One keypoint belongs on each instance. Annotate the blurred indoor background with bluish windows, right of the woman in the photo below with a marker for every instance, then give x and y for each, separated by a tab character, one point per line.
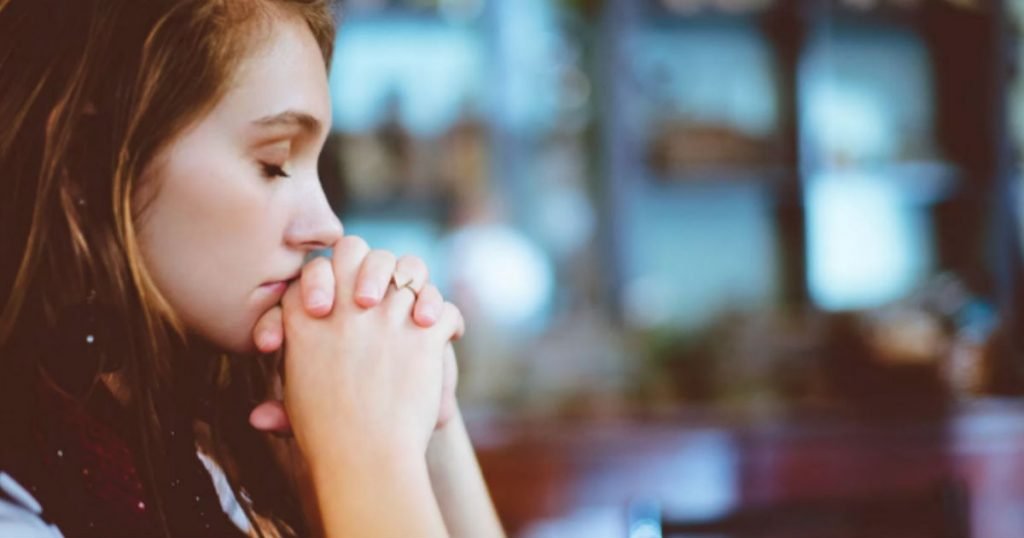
729	266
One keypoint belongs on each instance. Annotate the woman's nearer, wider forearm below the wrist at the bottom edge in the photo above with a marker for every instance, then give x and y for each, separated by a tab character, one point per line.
374	495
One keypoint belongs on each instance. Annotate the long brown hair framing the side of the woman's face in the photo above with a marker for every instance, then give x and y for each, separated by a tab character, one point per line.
91	93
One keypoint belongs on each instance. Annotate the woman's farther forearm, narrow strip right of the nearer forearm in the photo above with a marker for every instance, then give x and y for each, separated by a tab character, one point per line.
459	486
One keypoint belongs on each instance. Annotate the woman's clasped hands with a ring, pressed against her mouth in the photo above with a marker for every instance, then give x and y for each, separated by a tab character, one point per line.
368	346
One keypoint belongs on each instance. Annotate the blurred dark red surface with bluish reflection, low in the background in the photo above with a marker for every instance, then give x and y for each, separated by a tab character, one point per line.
544	471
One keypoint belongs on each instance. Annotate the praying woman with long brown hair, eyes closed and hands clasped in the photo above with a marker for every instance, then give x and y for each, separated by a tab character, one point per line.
160	198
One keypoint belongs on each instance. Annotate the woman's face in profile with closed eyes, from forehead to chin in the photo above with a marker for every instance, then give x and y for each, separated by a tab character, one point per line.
234	204
